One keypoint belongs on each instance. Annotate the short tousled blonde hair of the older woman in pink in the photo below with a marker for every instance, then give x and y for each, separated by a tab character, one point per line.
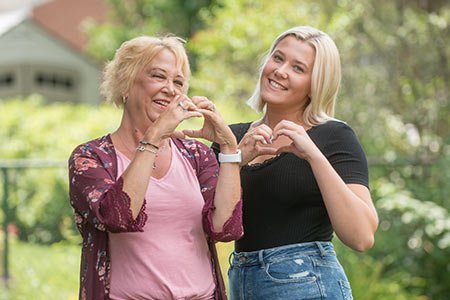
132	56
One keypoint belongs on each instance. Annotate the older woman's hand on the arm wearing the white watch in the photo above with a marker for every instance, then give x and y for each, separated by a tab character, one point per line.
214	128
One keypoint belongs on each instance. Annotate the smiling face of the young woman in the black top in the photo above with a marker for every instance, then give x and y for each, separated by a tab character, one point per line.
286	77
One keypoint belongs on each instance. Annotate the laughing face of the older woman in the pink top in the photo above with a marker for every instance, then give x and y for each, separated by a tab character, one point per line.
155	86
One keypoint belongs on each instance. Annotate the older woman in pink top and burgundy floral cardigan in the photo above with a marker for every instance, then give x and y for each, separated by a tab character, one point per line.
150	206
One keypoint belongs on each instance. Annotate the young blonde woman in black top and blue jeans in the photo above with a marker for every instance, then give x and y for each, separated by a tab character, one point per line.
304	176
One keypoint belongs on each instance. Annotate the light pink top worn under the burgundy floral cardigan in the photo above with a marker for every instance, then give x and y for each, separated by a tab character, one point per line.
170	259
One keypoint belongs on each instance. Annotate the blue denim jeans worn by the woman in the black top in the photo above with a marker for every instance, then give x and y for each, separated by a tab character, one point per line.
298	271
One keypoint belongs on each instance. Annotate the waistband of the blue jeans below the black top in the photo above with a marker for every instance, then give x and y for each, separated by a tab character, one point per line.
271	255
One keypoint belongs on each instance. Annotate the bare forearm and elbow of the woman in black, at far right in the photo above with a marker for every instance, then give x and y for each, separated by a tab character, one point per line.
351	212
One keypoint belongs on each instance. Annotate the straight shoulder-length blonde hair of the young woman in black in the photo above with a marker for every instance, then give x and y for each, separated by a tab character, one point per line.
325	78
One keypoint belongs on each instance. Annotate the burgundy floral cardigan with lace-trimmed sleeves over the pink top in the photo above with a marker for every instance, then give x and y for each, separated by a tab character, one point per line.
101	206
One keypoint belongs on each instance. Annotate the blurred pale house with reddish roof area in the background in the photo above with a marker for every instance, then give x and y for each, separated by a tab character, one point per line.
34	58
